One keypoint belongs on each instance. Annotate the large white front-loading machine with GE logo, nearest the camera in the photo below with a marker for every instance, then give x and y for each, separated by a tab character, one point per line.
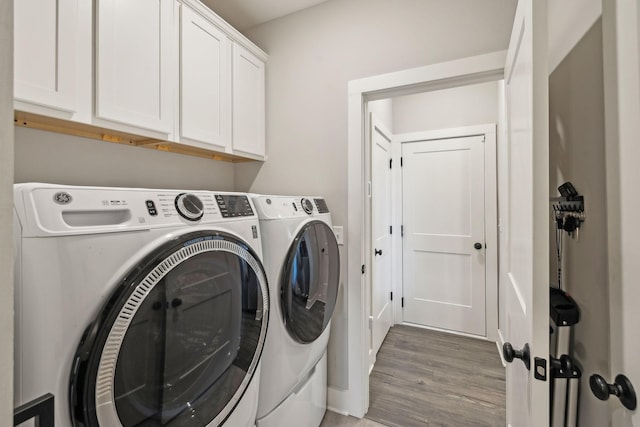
139	307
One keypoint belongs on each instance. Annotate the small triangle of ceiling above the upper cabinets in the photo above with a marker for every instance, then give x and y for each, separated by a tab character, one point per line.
244	14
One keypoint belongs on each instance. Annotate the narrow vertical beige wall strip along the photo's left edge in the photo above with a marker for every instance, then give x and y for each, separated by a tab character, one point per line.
6	212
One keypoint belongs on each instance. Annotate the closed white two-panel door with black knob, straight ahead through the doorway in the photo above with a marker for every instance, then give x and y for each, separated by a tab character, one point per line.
443	216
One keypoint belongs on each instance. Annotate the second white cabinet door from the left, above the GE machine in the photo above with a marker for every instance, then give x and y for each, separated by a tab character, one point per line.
133	63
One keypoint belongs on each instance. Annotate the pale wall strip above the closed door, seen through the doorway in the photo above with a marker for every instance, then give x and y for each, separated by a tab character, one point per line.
461	106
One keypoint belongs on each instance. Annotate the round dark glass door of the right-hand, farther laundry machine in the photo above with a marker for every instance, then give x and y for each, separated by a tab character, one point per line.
309	282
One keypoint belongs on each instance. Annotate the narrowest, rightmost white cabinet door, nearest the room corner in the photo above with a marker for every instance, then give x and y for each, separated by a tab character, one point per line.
248	103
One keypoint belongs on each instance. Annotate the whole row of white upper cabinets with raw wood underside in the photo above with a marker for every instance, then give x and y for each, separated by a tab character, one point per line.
166	74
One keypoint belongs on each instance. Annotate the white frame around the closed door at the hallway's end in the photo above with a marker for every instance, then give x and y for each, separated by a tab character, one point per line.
490	217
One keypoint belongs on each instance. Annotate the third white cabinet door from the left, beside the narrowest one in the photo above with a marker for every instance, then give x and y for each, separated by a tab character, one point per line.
204	81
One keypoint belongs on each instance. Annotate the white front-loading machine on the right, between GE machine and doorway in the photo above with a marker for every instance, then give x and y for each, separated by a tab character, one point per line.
303	269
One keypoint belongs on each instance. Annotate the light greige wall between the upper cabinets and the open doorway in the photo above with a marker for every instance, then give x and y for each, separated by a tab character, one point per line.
312	56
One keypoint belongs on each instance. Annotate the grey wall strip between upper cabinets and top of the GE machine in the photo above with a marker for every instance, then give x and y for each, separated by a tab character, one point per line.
62	159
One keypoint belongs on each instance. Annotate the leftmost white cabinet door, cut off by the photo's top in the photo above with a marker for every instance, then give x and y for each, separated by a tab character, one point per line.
45	53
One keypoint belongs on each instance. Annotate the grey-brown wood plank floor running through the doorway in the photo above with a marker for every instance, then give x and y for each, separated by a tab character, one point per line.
429	378
